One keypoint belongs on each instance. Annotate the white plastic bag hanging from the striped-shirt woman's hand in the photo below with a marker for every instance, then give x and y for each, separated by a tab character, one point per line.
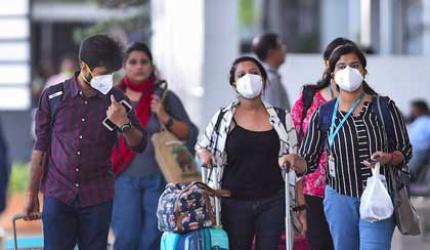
376	203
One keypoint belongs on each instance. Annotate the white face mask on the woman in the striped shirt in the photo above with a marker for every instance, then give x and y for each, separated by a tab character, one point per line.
349	79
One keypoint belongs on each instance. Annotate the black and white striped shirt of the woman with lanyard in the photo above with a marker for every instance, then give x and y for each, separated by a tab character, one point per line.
357	140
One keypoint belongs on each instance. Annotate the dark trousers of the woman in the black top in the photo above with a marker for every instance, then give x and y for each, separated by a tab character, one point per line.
263	218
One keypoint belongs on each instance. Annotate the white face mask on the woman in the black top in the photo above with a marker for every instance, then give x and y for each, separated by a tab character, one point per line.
249	86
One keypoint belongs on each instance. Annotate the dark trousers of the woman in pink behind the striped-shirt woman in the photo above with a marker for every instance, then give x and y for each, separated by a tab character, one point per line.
318	234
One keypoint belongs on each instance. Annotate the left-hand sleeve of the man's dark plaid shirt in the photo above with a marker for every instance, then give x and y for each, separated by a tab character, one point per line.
43	123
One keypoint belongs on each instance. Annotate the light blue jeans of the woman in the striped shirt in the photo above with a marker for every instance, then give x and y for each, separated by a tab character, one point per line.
348	231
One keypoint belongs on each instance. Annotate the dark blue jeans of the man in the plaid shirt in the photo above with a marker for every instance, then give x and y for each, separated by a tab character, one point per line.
65	226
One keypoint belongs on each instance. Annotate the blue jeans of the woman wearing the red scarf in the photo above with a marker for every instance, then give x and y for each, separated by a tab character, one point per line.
134	220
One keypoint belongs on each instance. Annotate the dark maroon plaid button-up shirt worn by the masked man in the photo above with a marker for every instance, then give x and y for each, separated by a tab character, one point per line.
79	146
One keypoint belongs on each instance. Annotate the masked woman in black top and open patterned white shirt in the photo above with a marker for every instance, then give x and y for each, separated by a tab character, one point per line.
252	135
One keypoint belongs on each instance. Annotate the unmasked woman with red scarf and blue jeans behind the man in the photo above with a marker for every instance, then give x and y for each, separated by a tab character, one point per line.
139	181
